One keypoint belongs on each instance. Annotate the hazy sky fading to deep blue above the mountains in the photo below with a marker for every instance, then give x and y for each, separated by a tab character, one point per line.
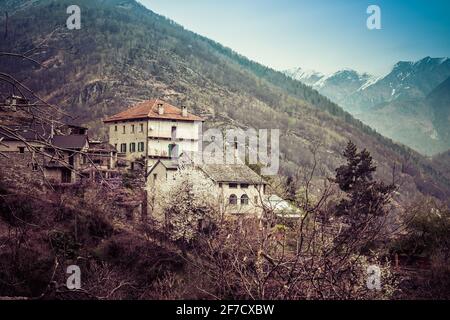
325	35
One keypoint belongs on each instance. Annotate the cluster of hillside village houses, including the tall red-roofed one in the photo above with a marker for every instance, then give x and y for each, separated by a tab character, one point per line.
154	140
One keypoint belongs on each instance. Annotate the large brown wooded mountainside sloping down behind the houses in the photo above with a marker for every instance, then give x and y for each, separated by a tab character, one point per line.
125	53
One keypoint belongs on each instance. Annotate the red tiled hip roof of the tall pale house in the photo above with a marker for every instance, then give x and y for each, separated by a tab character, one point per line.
149	110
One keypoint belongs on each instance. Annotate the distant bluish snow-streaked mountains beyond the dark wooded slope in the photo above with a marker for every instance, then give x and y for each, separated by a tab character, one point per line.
404	105
